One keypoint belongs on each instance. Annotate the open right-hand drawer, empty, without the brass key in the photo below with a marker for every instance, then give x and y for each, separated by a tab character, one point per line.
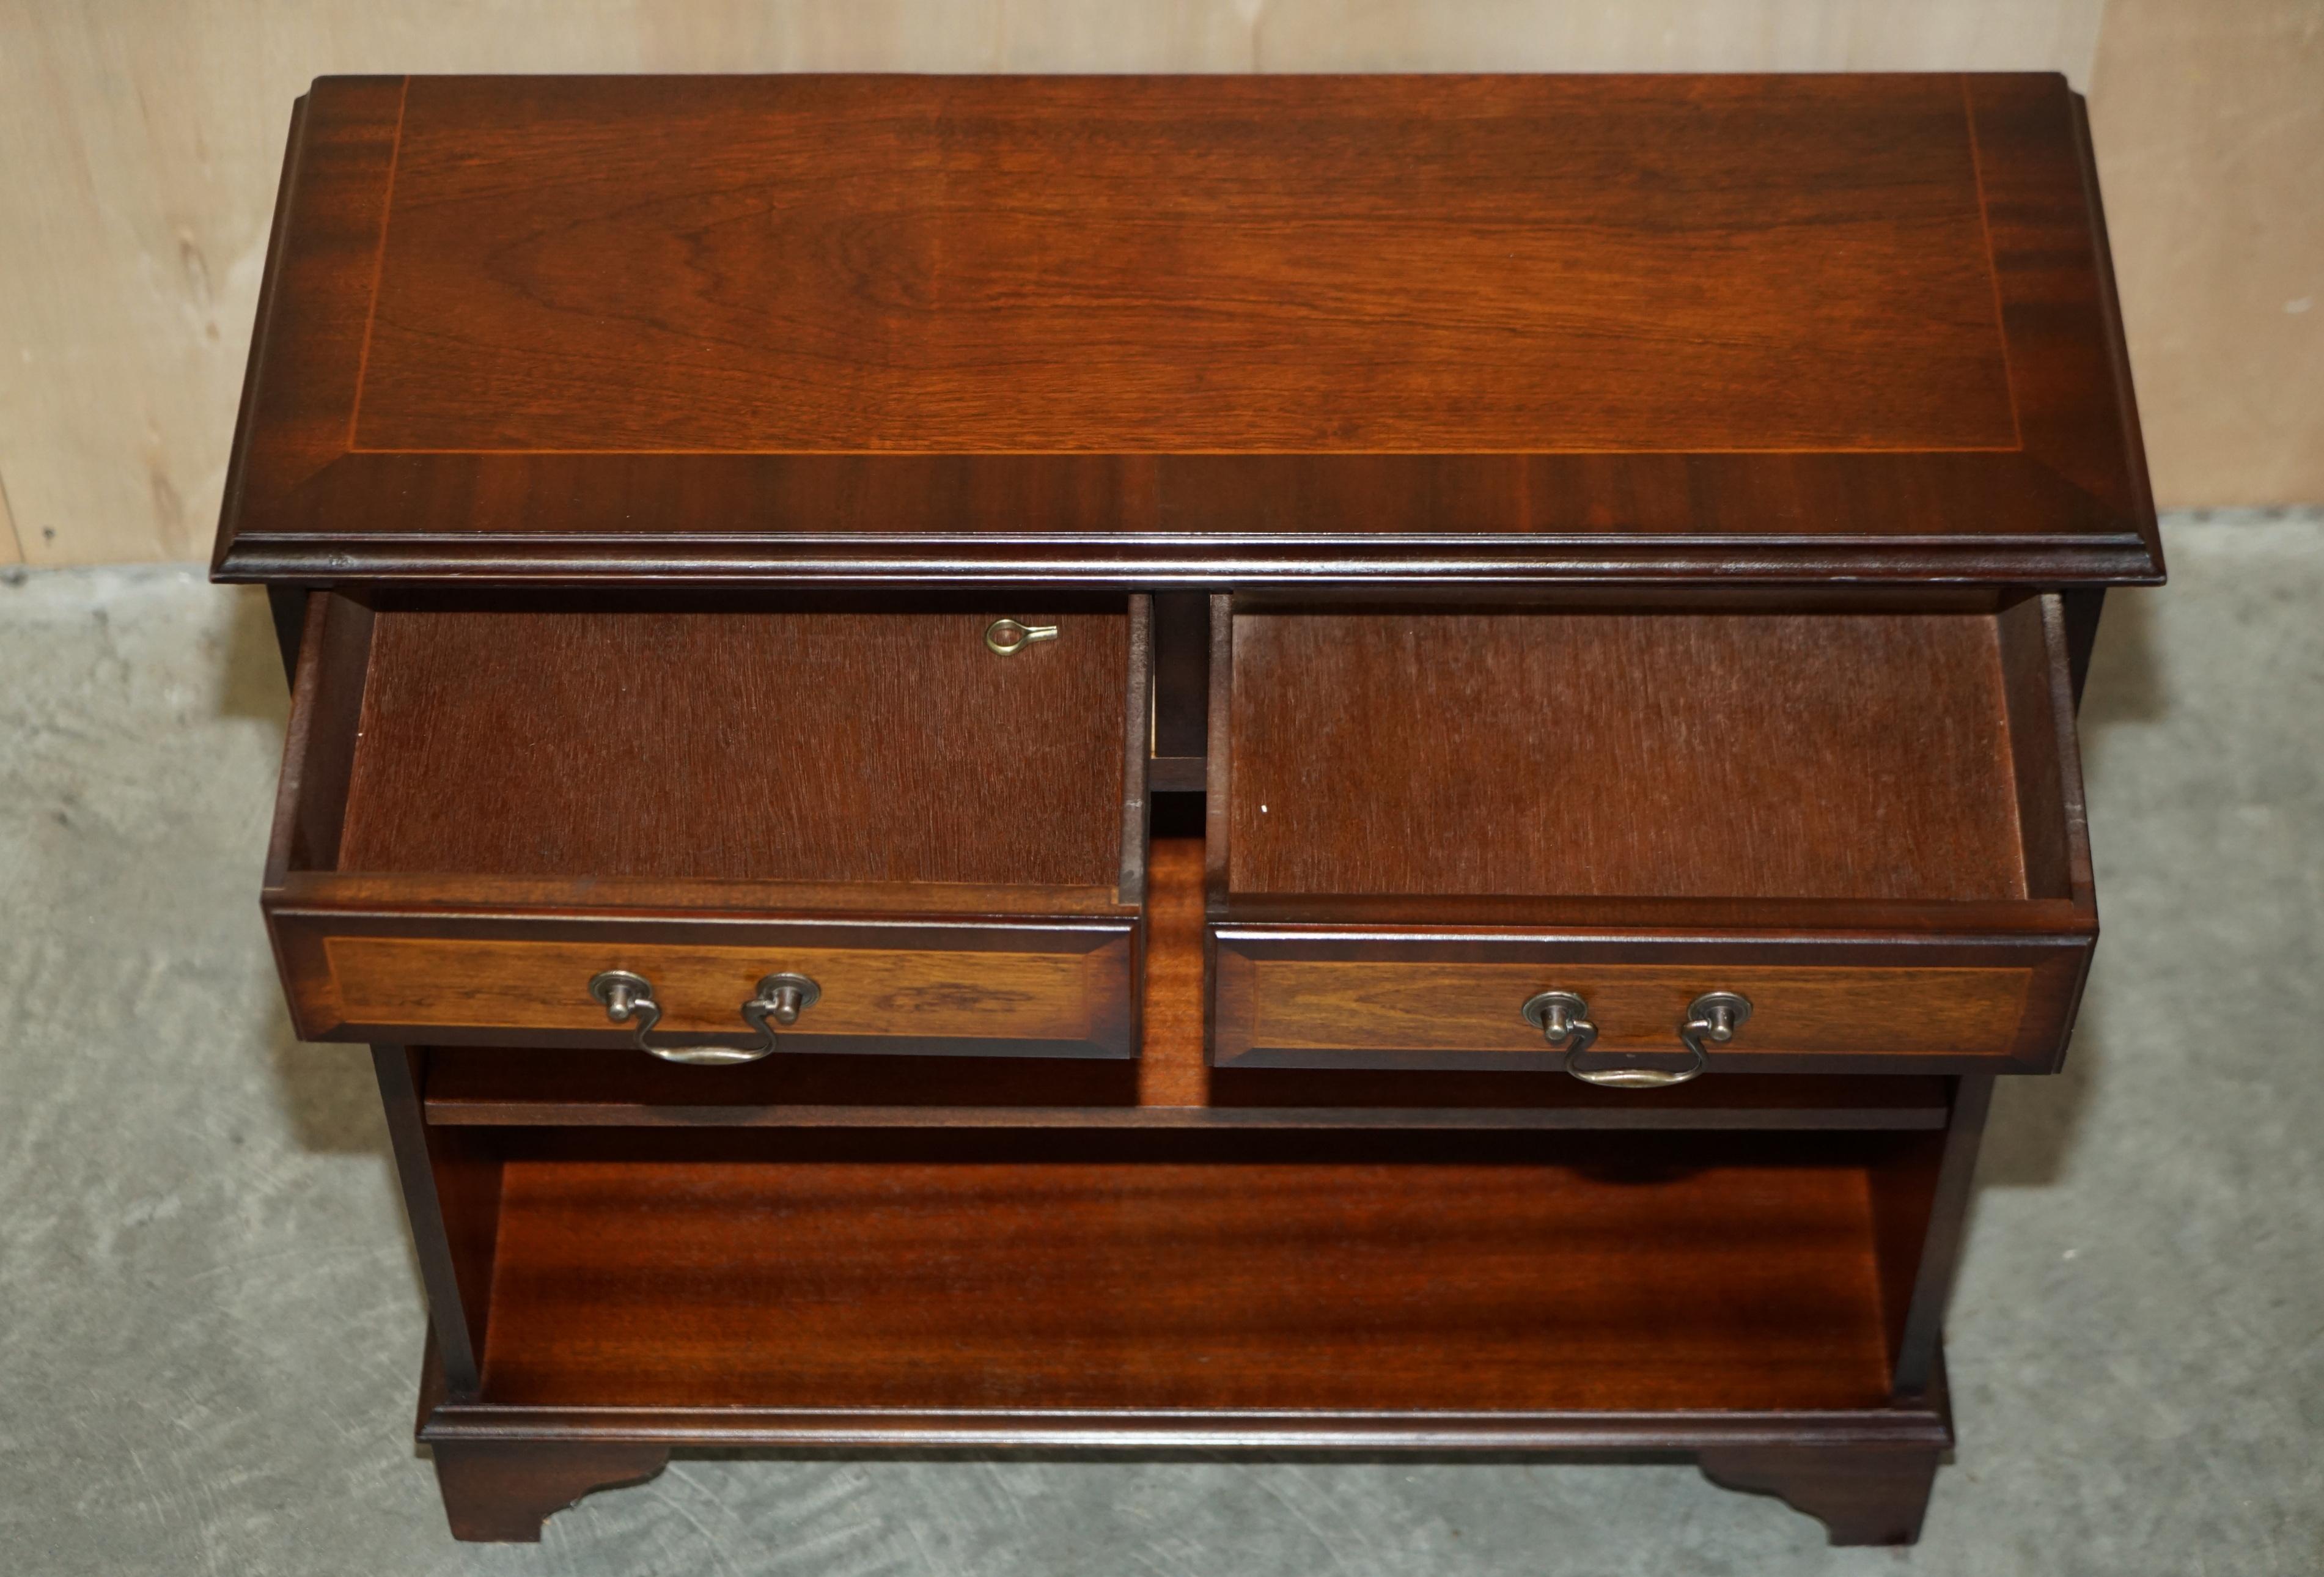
1640	844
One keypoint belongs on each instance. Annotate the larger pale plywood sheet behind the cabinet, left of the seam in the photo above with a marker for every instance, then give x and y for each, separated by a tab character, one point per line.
141	143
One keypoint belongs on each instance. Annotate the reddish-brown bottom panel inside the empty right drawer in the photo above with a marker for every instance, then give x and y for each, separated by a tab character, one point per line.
1830	756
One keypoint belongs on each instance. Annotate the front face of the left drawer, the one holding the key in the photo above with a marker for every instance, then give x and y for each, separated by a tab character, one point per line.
919	991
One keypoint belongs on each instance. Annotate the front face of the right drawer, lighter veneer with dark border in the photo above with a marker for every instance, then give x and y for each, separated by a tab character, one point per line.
1349	1004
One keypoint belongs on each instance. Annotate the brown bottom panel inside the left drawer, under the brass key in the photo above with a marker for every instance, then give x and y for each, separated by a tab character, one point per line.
787	747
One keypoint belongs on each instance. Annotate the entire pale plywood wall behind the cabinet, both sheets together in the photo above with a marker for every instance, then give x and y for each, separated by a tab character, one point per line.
141	145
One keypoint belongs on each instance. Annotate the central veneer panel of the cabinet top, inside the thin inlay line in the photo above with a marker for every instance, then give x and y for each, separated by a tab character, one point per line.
1152	266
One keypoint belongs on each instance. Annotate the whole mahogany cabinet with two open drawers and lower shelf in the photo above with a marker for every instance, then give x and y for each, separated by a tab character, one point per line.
1289	765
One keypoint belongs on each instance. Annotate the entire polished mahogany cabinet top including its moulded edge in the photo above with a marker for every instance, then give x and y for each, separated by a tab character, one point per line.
1131	331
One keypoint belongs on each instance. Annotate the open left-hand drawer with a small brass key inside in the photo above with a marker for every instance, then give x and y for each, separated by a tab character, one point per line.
708	833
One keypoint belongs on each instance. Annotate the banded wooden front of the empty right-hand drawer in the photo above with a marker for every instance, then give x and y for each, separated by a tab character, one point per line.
1958	1000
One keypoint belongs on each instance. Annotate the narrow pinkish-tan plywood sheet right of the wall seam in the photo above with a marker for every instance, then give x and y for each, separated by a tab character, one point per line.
2209	122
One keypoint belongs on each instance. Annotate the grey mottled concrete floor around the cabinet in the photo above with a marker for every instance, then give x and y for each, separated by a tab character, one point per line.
210	1323
